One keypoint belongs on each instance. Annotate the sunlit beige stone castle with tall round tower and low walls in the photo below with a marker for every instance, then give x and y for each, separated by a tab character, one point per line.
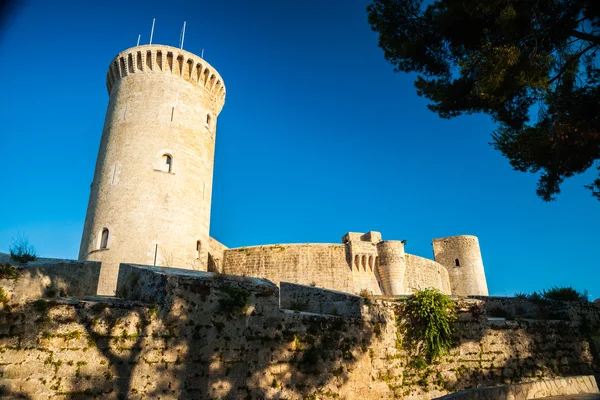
151	196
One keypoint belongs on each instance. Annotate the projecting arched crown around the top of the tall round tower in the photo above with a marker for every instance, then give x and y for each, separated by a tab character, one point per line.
171	60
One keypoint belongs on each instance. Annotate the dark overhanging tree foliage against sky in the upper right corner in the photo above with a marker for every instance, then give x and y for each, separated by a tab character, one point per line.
531	66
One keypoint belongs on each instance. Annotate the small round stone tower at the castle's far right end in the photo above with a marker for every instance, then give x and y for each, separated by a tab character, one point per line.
462	257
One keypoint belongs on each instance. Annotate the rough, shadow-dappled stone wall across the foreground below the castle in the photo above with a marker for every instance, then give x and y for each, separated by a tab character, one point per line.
181	334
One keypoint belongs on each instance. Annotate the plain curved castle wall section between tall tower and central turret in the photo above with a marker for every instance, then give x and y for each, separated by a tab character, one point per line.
323	265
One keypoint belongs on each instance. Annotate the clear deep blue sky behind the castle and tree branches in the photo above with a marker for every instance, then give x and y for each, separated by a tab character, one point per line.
318	137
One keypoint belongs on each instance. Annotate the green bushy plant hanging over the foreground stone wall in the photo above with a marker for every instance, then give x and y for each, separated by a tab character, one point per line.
430	315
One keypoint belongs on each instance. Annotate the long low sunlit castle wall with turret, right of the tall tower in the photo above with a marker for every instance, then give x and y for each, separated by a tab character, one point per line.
363	262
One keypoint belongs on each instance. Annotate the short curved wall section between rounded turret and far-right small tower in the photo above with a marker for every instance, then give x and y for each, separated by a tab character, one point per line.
423	273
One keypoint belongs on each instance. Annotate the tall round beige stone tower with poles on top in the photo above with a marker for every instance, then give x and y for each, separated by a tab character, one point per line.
151	194
